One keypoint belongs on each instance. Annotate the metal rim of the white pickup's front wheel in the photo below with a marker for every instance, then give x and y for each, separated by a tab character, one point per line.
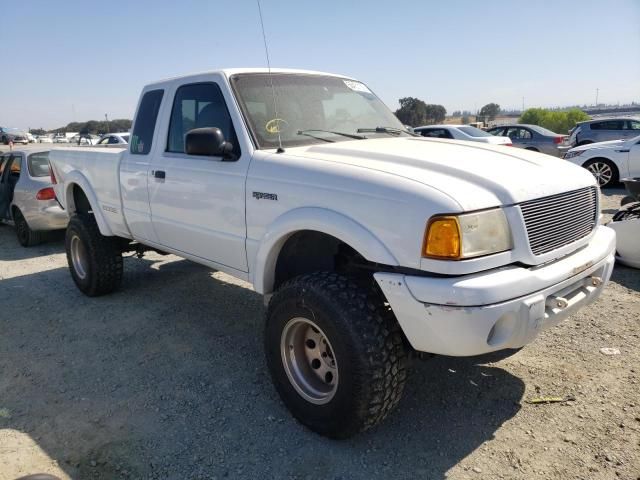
309	361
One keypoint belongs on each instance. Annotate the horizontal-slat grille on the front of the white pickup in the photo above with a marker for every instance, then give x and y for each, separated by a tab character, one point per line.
558	220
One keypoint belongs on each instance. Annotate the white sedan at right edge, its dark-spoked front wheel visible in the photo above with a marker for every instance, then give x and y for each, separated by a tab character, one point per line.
608	161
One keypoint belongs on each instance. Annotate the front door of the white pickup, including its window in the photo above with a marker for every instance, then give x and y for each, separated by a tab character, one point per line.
198	202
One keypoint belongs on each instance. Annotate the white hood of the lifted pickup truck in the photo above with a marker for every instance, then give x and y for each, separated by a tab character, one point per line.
473	174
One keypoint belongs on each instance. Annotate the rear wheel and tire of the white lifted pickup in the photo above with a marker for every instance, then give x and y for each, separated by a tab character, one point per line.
95	260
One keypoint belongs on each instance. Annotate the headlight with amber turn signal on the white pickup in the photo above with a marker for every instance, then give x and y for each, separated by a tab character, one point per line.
468	235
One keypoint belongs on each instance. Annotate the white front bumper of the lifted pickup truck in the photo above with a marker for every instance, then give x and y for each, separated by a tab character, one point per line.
501	308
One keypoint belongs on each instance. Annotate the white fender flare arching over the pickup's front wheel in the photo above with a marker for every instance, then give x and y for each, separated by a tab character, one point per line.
315	219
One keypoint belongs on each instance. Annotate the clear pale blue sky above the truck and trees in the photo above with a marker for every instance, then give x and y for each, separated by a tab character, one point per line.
77	60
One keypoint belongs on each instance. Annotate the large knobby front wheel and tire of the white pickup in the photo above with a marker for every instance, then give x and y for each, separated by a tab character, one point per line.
336	354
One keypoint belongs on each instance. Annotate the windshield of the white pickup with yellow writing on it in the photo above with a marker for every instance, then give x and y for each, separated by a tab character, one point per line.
311	109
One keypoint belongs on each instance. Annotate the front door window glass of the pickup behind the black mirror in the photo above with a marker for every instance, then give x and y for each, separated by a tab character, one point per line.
199	105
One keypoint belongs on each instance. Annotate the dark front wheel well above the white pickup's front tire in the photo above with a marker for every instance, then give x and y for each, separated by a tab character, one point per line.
309	251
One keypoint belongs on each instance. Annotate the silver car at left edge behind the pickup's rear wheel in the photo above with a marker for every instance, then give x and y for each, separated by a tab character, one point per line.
27	197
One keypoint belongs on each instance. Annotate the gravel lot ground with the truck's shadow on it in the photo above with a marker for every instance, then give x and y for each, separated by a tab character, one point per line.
165	379
